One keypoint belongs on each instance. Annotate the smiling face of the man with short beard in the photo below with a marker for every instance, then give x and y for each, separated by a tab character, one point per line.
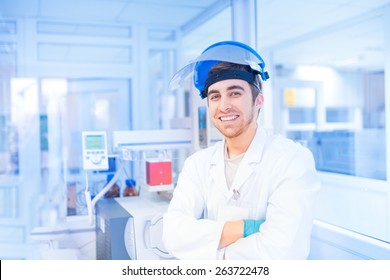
231	107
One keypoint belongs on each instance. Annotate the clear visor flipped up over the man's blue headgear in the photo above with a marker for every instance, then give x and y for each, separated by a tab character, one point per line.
228	52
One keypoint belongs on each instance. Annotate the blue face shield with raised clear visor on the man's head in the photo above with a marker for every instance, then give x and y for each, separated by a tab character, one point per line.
227	51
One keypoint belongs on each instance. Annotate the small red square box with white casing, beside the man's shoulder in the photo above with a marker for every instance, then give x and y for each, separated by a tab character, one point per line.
158	172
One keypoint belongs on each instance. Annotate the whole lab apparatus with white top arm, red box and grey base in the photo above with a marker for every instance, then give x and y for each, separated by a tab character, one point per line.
130	227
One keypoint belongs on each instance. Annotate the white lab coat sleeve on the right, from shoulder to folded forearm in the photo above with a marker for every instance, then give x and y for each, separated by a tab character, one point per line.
287	230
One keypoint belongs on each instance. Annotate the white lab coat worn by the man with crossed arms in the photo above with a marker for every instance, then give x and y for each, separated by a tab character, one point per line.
276	181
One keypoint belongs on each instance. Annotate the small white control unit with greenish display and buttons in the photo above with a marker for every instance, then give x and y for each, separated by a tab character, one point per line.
95	155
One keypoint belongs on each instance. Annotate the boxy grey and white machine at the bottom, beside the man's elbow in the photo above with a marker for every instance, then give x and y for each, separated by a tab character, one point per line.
131	227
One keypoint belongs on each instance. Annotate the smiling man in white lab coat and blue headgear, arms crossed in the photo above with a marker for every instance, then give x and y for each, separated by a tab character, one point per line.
250	196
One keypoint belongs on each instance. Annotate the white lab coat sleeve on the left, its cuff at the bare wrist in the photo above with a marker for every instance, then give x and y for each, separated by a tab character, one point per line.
186	234
